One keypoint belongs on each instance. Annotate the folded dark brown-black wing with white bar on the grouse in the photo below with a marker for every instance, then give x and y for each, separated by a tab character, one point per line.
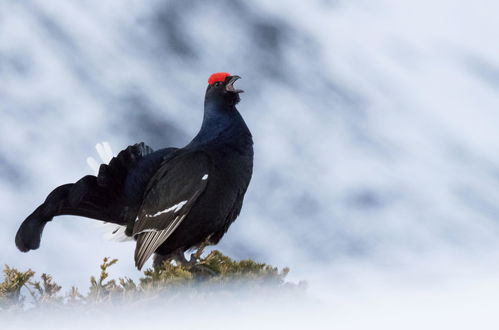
169	197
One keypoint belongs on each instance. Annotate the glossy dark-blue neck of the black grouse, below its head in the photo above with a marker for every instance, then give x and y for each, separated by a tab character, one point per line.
222	124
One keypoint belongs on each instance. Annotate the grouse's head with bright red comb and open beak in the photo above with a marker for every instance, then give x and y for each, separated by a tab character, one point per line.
221	89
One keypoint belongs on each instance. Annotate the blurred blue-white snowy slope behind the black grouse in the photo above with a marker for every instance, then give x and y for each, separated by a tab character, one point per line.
375	127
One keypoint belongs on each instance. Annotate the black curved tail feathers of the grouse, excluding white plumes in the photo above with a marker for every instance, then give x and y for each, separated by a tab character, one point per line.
100	197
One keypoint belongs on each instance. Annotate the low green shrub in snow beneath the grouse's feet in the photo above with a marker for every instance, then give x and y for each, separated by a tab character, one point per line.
214	273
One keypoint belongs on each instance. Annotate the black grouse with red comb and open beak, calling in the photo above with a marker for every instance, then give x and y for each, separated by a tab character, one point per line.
171	200
